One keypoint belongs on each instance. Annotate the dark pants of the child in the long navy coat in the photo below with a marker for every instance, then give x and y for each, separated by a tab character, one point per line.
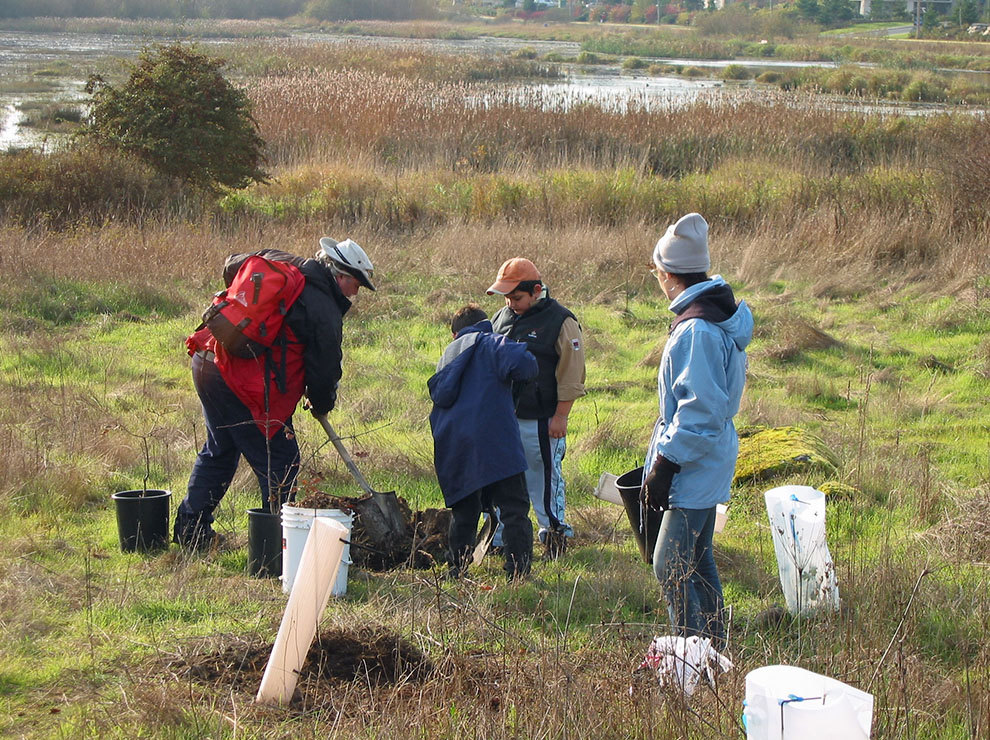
509	495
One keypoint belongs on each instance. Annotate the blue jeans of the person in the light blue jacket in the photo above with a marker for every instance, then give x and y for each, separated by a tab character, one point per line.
684	564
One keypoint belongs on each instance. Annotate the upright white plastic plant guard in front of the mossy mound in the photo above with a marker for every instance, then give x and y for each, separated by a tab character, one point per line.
807	573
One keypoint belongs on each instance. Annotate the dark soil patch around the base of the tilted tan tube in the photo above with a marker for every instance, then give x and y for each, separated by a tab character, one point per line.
369	654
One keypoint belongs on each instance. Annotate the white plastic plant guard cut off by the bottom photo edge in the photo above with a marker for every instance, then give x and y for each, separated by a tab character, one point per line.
790	703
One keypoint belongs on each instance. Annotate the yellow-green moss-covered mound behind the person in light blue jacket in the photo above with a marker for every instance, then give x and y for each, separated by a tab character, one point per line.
766	453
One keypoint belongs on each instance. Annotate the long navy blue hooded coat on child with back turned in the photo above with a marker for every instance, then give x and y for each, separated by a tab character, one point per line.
475	433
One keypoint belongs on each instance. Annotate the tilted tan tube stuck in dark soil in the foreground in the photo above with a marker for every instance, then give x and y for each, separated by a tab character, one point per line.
313	583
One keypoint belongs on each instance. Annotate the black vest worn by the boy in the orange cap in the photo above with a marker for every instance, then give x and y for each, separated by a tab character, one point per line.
539	328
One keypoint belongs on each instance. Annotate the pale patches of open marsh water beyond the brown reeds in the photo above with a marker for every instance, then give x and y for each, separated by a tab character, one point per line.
74	56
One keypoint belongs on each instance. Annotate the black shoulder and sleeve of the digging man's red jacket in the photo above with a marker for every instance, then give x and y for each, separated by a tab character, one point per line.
316	320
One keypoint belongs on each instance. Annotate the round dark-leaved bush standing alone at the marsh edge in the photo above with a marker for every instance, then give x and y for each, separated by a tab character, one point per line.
178	113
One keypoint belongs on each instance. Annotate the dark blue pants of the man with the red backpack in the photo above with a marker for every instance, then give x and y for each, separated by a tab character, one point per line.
230	433
